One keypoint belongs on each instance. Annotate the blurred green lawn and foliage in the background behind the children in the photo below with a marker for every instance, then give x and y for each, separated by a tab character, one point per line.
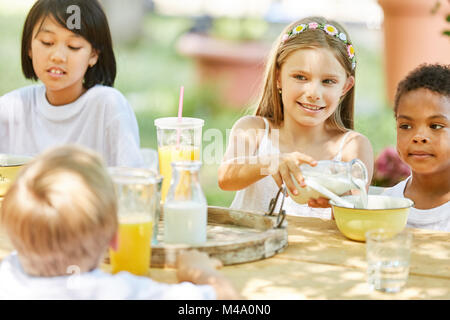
150	73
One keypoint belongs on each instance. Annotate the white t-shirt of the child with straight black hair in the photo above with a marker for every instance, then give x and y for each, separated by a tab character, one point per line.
101	119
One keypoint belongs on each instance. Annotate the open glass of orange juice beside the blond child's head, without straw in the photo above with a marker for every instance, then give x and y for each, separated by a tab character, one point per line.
137	198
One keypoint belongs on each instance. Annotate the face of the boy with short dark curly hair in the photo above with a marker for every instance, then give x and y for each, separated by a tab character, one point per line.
423	130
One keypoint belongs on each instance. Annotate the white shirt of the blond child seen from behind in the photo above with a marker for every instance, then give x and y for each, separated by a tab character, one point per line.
16	284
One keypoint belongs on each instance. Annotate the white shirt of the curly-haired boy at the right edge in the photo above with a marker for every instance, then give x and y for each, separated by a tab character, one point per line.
437	218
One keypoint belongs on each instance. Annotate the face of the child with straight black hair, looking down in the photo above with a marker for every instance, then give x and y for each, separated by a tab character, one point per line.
60	60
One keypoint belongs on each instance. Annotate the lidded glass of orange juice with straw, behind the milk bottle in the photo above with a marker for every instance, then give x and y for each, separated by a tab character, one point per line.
178	140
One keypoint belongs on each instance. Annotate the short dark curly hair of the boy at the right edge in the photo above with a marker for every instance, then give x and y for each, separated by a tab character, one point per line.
434	77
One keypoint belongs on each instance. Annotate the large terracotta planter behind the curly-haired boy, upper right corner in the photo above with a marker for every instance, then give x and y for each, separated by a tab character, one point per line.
413	35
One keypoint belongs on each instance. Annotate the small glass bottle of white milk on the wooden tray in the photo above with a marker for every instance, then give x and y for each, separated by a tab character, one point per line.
185	208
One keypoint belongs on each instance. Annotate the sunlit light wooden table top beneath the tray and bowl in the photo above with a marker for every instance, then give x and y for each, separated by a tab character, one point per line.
320	263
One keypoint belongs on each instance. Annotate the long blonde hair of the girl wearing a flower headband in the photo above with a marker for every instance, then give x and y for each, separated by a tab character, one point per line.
270	104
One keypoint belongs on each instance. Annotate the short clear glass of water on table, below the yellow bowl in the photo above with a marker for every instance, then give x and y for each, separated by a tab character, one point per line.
388	257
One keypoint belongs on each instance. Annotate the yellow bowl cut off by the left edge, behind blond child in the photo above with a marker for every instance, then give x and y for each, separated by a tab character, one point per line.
9	168
